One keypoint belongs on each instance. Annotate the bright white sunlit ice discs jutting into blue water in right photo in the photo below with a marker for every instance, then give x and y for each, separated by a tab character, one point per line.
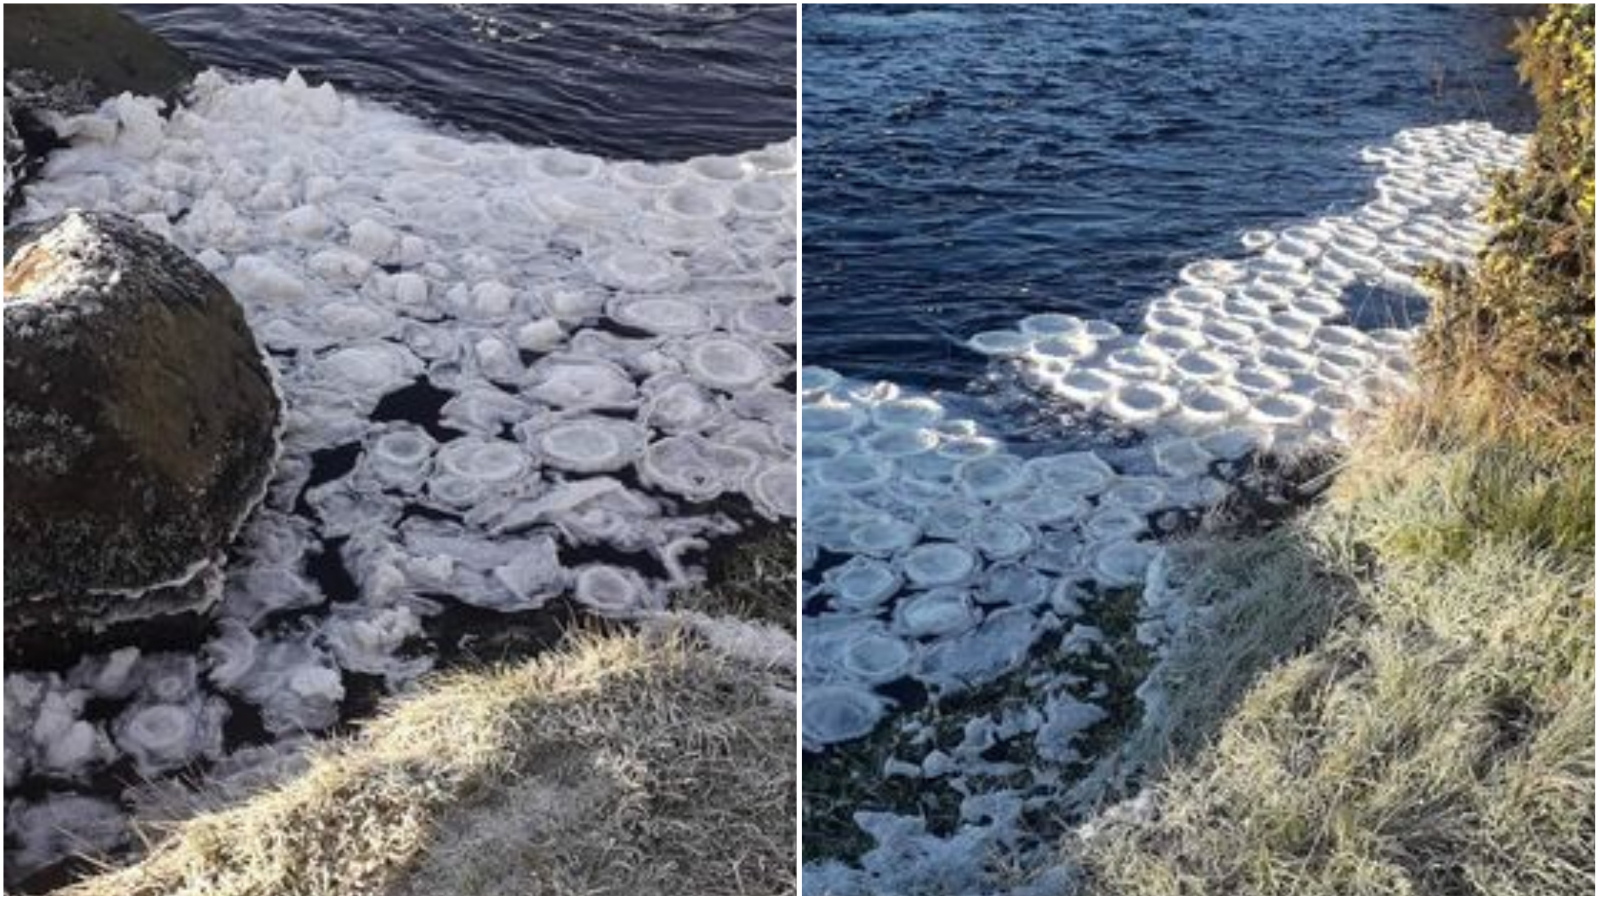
1265	345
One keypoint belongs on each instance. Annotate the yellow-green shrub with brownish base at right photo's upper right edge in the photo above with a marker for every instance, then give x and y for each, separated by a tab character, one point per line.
1521	326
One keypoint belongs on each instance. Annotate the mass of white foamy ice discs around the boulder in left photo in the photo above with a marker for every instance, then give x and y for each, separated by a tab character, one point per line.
614	348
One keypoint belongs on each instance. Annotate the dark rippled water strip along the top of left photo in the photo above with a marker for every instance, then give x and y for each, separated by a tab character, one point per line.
626	82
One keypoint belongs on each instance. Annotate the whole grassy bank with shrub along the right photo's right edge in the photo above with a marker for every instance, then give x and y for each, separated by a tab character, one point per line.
1438	734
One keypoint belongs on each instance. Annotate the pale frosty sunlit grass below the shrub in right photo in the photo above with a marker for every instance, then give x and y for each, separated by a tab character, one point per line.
1441	739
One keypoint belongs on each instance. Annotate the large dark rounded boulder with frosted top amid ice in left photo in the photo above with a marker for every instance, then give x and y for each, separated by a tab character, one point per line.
142	425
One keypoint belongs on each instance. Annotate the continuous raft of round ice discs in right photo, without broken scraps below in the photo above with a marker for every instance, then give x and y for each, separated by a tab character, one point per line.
1246	356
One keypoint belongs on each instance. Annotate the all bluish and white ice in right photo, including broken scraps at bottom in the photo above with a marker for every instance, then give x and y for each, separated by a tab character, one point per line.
935	553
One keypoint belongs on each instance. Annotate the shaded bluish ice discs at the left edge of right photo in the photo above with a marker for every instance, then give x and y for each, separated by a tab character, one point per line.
932	553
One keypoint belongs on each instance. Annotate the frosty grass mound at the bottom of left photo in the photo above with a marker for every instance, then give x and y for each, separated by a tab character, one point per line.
618	766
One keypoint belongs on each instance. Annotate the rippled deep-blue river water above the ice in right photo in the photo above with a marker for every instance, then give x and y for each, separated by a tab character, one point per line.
969	166
